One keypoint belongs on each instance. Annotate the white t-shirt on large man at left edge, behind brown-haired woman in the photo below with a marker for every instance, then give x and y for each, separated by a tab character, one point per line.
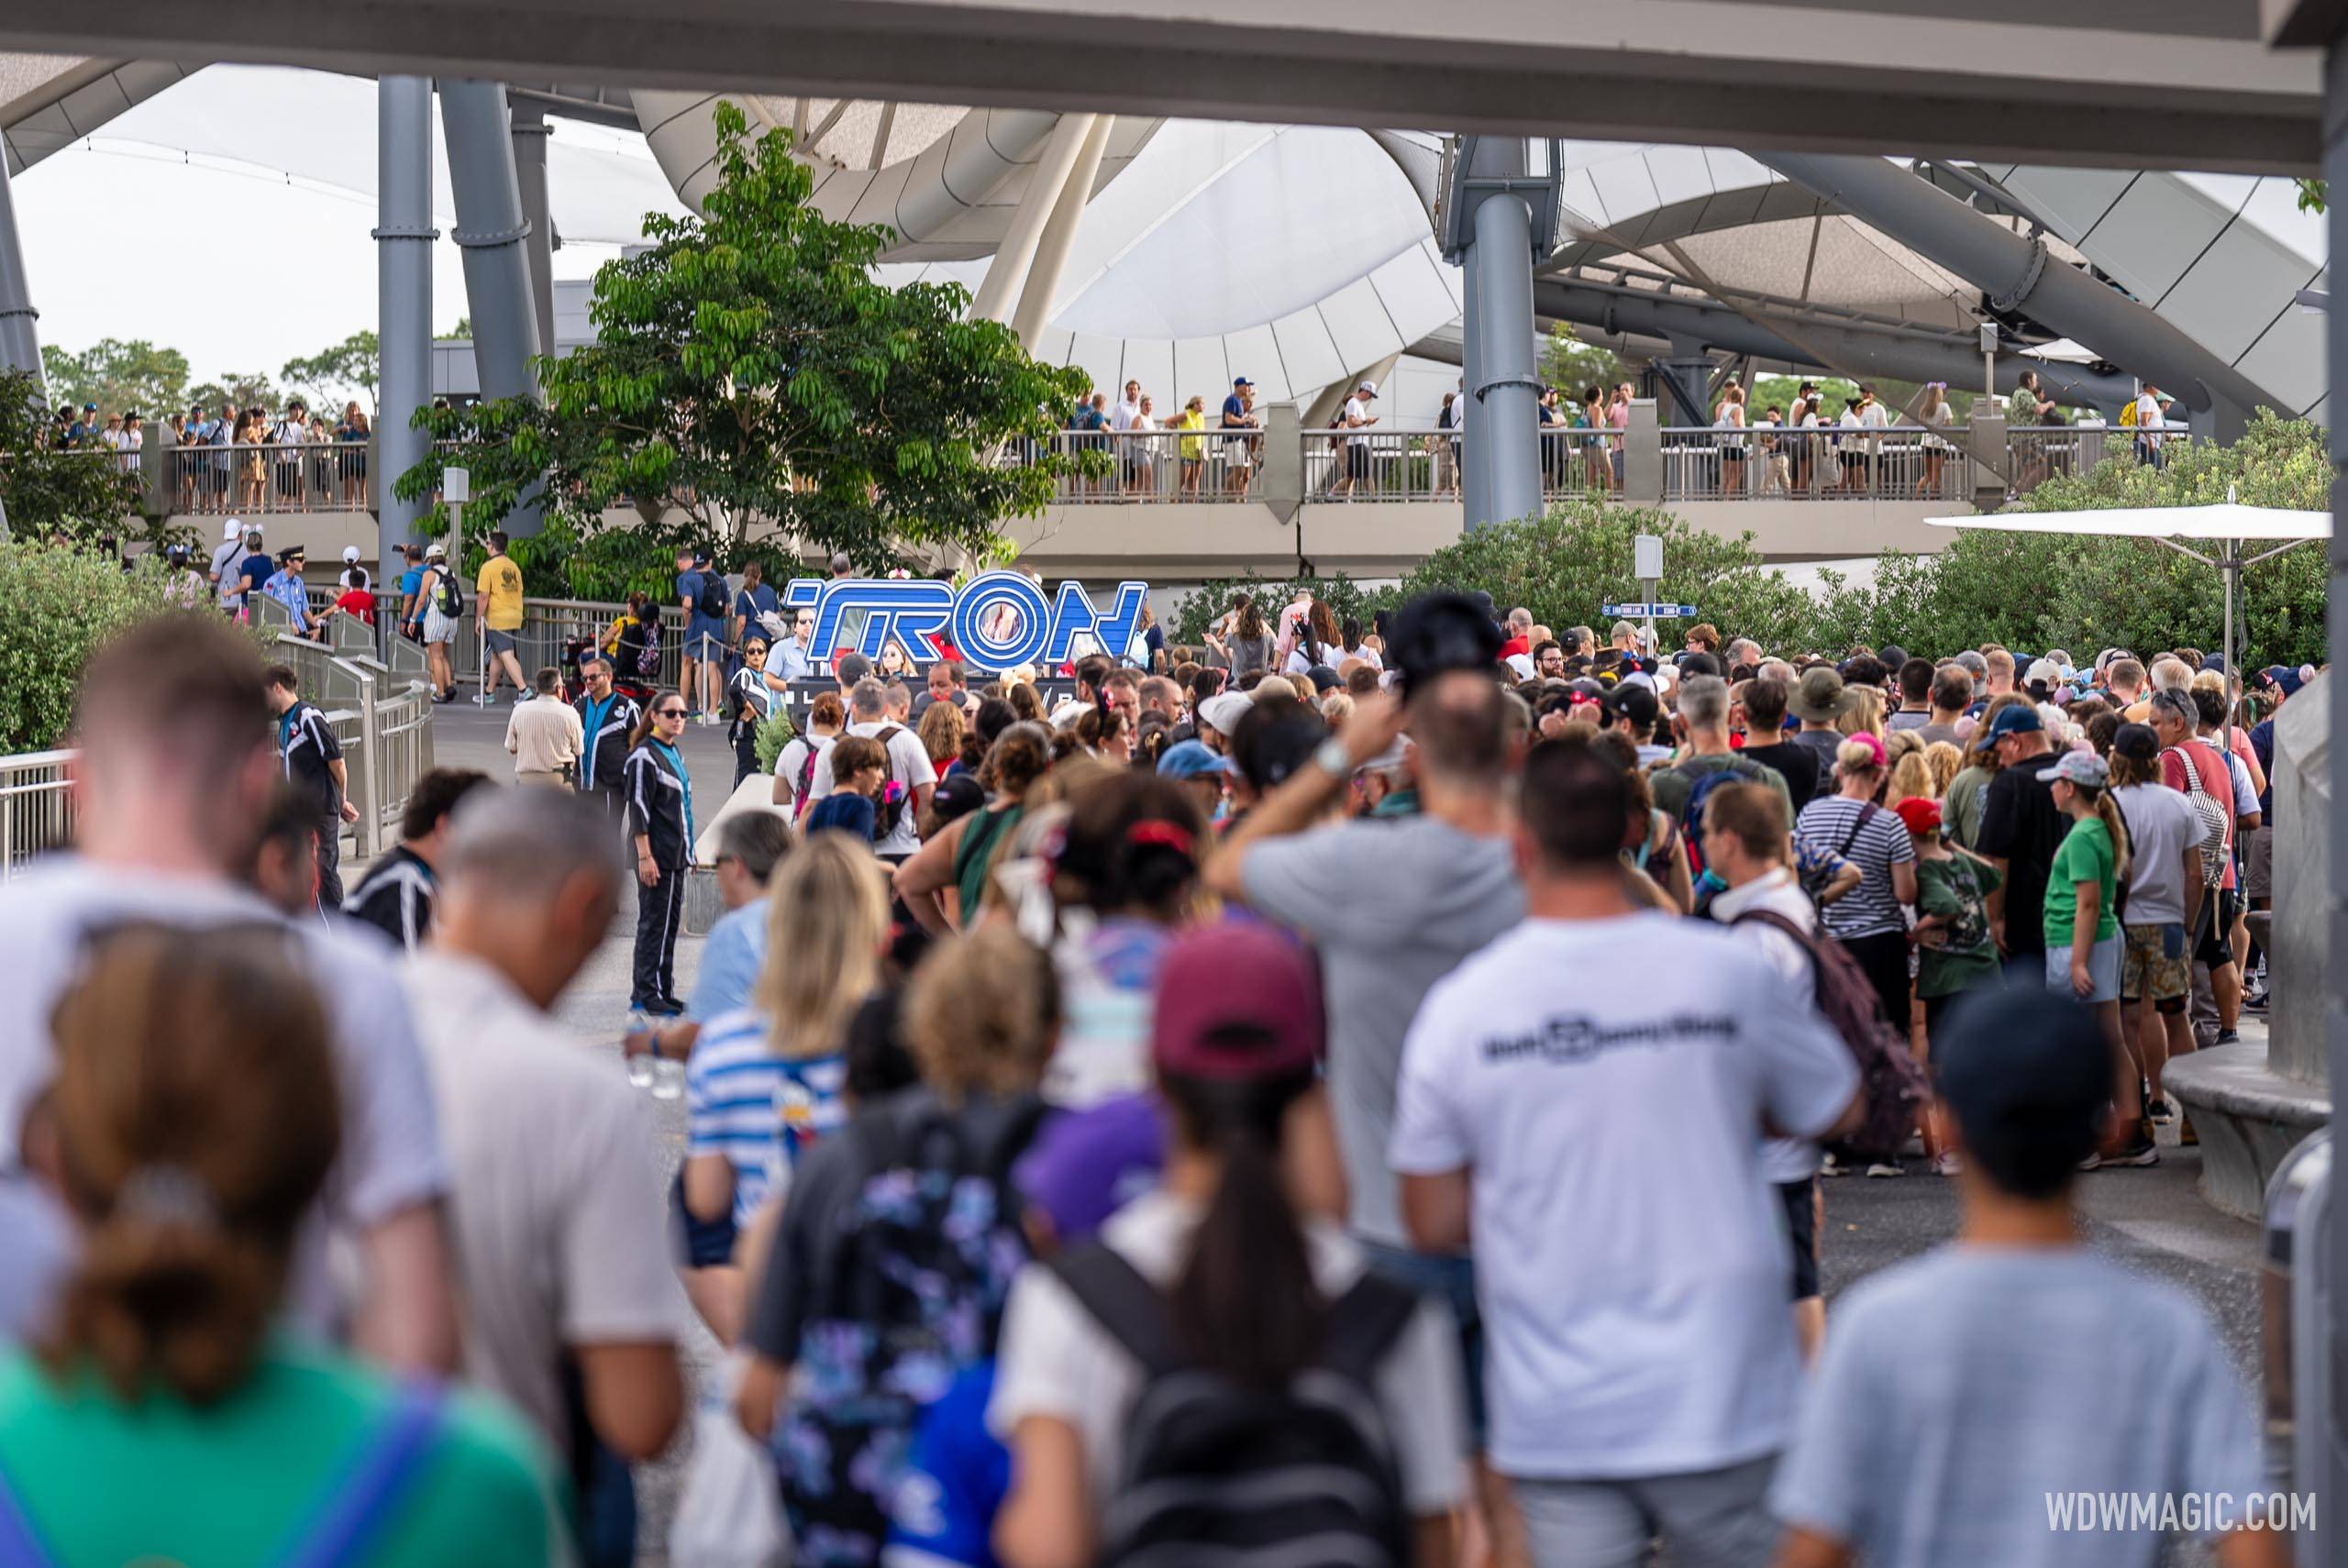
391	1151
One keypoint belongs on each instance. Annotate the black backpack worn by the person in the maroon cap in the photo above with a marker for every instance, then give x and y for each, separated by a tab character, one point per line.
1215	1473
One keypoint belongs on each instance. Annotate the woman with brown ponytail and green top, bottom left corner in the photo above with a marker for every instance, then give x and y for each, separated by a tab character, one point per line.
166	1417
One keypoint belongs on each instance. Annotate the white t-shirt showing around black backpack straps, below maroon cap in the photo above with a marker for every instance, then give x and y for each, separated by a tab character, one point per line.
1055	1360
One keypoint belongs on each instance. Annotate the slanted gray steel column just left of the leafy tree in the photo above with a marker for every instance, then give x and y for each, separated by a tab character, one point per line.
490	231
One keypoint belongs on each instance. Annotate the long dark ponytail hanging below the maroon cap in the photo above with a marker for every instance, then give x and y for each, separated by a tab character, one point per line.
1246	1302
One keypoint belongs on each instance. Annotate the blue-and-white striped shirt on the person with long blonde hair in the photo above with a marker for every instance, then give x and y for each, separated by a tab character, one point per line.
757	1109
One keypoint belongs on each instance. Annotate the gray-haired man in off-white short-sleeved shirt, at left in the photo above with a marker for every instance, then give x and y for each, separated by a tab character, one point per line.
555	1191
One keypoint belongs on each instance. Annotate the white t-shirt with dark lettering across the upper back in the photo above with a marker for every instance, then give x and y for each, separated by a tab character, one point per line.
1635	1304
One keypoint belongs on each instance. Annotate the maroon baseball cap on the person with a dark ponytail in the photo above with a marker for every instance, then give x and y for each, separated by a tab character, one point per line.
1236	1003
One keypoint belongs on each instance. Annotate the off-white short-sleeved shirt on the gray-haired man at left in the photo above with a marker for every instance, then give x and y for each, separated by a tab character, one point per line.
558	1201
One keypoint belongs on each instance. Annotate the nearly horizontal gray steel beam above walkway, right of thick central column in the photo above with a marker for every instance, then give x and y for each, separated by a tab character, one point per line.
1826	346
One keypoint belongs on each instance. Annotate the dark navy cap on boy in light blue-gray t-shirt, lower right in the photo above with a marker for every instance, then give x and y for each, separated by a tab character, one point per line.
2027	1076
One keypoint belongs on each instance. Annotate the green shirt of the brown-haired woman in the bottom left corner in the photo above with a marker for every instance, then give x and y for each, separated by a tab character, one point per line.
227	1487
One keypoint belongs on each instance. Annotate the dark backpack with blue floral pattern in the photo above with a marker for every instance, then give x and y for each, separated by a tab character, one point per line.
910	1295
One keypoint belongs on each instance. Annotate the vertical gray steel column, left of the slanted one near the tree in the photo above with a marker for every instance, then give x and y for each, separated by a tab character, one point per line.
403	299
